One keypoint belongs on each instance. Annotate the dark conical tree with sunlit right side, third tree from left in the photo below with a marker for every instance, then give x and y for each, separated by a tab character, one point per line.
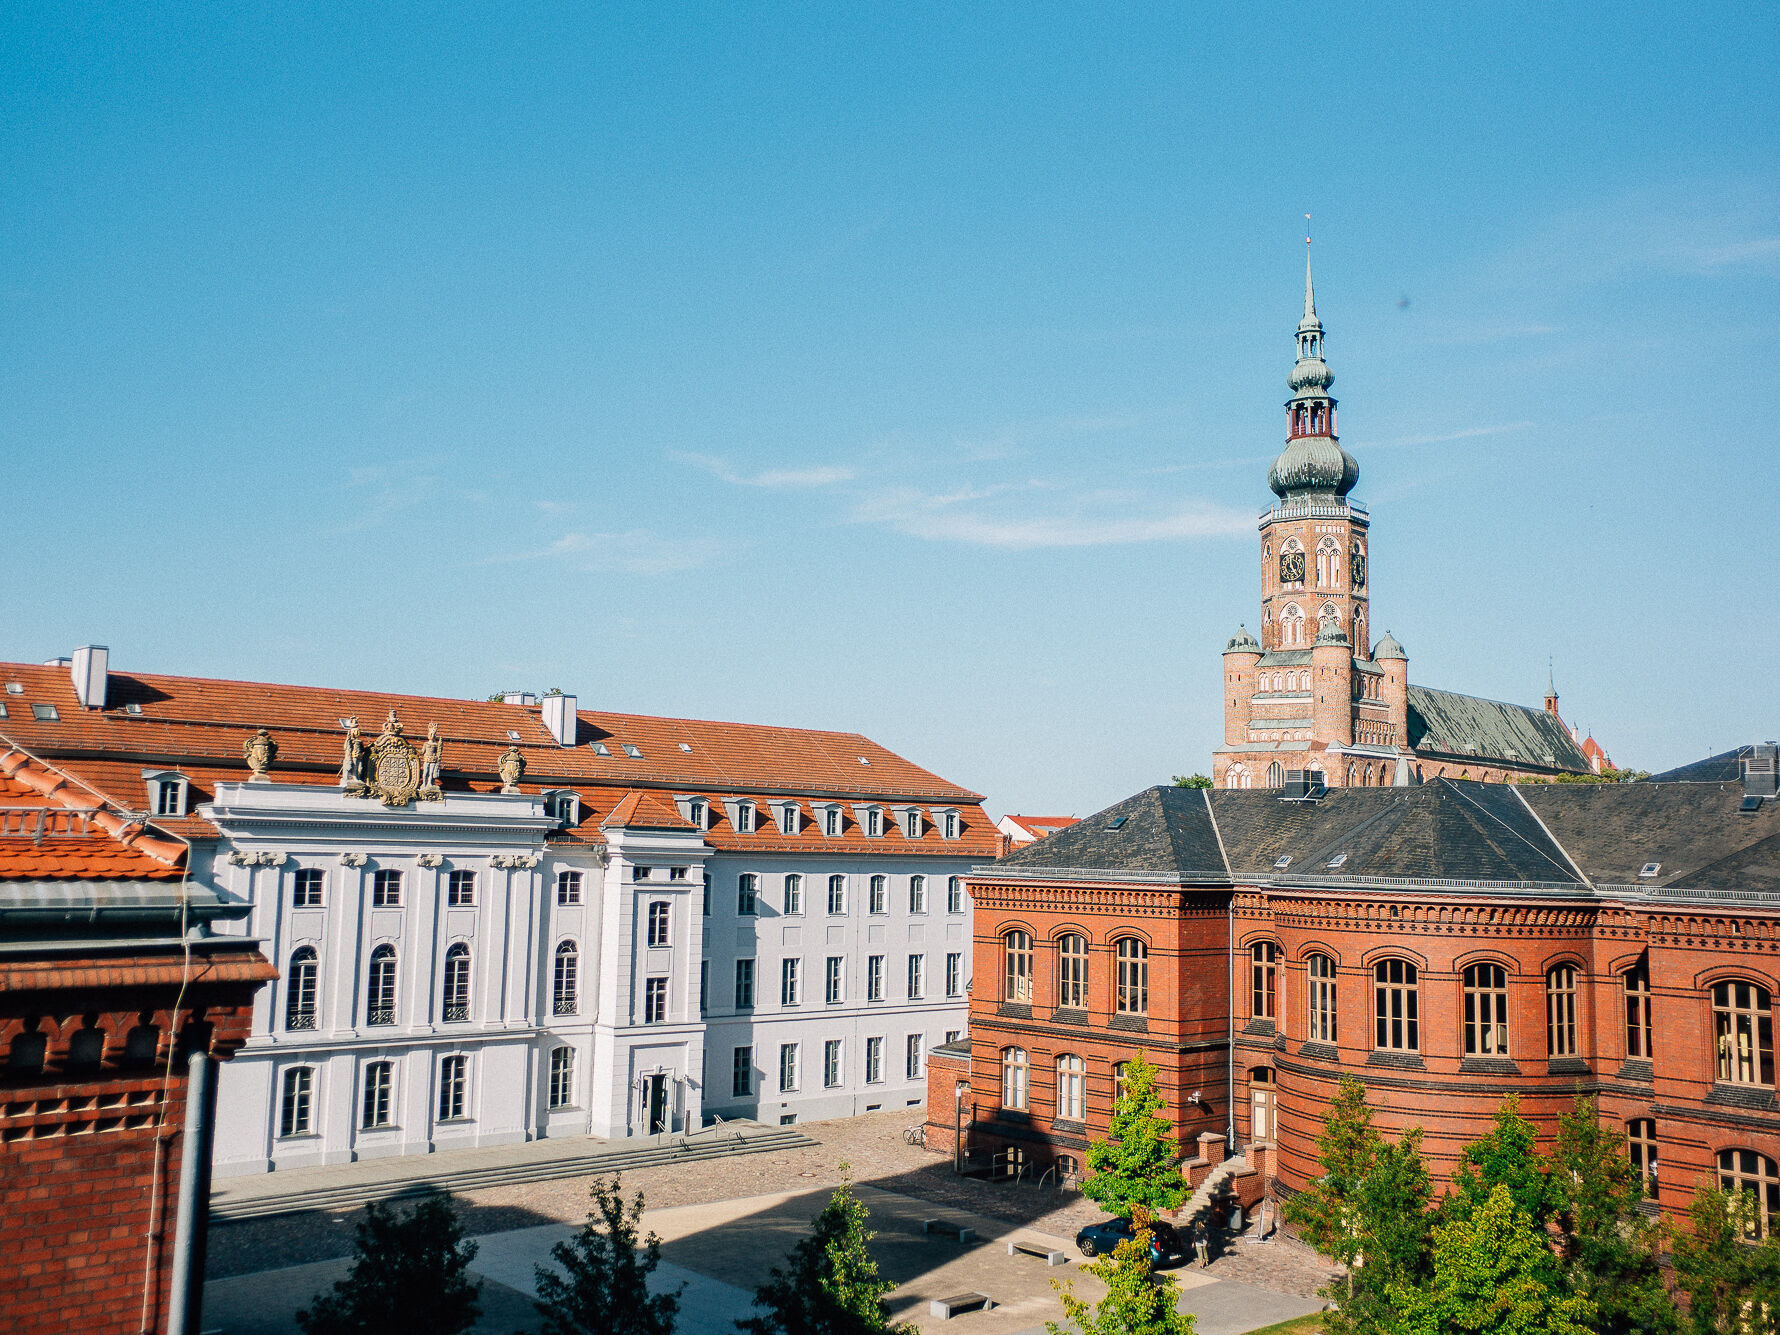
830	1284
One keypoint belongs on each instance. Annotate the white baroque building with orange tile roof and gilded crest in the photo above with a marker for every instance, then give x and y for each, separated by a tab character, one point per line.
538	921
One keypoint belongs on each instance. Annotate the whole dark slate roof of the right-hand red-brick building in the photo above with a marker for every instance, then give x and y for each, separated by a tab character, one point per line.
1444	830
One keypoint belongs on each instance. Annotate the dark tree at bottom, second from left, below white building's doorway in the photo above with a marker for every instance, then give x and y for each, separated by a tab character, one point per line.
606	1266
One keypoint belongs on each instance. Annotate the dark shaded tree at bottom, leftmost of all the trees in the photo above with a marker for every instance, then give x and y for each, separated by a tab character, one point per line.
407	1277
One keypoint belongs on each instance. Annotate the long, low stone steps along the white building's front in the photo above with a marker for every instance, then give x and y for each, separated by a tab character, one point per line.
473	1179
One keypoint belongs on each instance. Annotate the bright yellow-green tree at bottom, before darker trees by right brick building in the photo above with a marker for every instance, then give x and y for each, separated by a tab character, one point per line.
1491	1272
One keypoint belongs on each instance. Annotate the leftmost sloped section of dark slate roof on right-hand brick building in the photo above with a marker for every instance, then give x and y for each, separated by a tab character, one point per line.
1160	832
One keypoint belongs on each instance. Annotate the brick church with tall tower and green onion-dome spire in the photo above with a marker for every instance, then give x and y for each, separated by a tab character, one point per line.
1316	693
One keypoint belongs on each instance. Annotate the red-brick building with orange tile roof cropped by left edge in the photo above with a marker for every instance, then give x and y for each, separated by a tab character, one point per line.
108	983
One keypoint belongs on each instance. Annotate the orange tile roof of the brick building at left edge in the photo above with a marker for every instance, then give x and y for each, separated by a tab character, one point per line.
56	829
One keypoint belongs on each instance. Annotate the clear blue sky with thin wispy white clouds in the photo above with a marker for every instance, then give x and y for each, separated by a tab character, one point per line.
898	369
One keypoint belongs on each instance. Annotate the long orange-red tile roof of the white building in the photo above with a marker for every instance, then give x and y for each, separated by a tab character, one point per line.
198	727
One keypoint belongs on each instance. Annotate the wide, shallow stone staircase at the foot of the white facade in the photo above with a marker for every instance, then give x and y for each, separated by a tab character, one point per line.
400	1179
